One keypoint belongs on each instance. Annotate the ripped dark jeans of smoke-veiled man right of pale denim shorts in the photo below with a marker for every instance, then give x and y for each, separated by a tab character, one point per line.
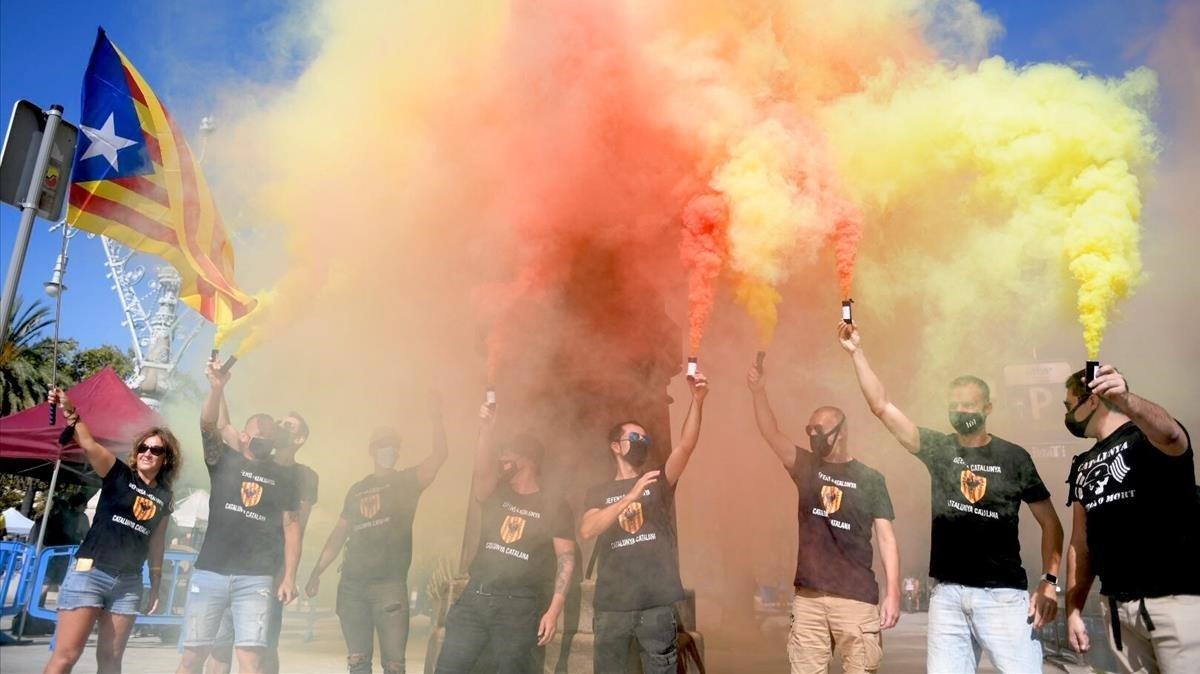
374	607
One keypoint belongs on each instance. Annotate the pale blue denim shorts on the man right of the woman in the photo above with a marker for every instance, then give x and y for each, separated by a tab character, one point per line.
249	599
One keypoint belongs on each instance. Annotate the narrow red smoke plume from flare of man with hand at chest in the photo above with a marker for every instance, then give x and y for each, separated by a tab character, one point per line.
704	251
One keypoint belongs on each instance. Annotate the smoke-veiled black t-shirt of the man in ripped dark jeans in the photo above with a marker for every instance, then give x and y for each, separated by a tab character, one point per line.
380	511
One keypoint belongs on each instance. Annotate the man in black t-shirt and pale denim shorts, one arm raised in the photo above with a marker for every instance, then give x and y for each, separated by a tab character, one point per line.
254	533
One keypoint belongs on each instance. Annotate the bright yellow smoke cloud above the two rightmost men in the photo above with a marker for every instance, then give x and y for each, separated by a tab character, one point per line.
999	186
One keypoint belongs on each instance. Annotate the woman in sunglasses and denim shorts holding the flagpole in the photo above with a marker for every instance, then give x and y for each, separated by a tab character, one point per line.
105	583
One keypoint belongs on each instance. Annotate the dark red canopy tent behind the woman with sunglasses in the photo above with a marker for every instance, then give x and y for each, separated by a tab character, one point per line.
115	414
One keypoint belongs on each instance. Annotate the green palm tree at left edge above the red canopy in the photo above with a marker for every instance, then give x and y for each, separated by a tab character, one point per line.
26	363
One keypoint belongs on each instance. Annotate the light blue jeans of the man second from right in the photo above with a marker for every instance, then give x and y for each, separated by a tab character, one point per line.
965	621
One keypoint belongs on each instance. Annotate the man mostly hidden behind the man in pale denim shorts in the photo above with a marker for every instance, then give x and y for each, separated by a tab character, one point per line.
293	434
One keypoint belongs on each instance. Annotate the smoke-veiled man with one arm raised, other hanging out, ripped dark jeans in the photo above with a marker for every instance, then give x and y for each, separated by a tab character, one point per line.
376	528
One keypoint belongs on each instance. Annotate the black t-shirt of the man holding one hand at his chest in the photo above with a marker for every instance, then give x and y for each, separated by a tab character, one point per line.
638	557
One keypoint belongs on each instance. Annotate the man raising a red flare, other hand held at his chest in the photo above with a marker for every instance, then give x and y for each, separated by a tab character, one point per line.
633	520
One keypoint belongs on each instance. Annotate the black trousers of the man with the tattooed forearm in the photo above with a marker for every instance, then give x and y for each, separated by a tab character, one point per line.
505	627
